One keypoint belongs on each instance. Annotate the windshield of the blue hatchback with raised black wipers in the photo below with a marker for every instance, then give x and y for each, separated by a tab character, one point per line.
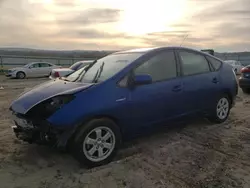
104	68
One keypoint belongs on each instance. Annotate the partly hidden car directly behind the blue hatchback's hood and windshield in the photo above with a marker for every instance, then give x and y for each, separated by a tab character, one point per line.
66	71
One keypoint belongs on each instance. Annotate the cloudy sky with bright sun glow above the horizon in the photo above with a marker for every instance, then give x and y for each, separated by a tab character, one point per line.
123	24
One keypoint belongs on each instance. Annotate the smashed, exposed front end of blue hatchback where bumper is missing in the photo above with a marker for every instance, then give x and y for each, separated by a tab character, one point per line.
40	132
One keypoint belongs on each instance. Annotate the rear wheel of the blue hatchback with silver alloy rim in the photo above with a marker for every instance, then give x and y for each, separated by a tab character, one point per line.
221	110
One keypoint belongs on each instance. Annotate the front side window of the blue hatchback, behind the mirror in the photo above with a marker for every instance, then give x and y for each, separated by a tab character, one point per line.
160	67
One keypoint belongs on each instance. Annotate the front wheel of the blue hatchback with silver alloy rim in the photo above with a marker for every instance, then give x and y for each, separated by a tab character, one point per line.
97	142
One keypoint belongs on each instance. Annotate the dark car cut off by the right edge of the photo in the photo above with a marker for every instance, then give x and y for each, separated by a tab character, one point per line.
244	80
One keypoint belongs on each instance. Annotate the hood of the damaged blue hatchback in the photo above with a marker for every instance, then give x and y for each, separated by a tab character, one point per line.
42	92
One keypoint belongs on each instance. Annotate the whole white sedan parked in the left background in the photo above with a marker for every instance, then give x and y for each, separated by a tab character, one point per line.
35	69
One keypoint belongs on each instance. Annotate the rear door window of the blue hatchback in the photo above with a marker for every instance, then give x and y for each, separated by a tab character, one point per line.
193	63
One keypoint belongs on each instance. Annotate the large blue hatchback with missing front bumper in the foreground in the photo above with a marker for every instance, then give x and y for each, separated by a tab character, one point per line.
122	94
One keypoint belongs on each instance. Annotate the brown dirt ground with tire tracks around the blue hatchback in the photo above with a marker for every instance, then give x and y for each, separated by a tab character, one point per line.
196	155
